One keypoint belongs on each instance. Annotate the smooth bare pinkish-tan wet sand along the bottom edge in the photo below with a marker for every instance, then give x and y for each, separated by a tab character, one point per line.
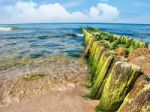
66	100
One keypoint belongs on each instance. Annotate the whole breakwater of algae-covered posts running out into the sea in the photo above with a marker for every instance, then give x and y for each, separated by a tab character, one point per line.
118	84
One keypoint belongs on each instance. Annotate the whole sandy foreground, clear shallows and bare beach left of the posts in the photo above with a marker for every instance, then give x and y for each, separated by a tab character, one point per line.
58	85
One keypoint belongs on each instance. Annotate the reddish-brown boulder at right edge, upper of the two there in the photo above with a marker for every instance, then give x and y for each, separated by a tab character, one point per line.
138	52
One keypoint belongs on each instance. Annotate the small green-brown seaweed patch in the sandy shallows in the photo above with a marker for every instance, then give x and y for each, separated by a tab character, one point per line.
34	76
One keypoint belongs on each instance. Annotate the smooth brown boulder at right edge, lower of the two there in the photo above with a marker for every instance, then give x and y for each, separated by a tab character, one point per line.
144	63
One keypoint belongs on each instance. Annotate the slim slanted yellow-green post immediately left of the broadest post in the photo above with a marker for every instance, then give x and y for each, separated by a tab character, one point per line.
100	78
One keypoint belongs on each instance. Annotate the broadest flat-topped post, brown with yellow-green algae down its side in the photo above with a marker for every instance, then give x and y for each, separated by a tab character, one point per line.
119	82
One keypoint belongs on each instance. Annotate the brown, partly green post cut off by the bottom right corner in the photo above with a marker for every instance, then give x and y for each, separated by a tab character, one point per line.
138	99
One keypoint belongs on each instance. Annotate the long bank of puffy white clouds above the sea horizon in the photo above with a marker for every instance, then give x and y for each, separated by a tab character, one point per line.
32	12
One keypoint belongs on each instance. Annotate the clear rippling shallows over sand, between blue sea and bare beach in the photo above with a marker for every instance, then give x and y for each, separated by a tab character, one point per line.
60	71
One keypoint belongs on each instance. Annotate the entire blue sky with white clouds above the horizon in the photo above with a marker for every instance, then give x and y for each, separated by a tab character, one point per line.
75	11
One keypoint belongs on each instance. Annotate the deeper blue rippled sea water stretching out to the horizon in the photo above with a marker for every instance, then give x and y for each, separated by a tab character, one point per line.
37	40
